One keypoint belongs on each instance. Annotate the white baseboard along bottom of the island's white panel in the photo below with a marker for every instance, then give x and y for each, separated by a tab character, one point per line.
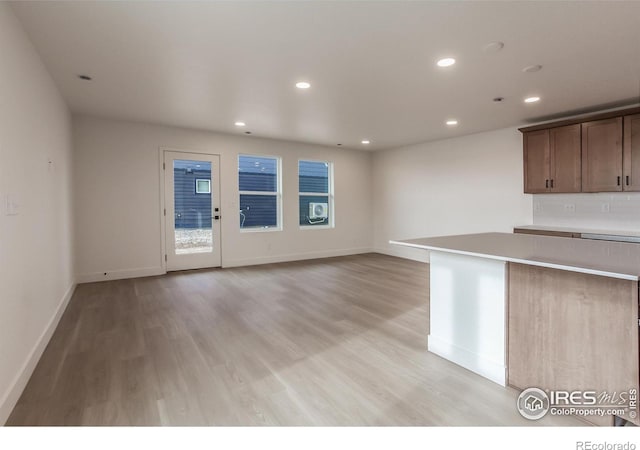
475	362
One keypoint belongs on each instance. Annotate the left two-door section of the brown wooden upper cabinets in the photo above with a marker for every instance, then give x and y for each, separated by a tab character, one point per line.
552	160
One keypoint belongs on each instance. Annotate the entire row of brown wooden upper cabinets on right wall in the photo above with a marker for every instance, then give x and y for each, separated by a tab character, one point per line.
600	153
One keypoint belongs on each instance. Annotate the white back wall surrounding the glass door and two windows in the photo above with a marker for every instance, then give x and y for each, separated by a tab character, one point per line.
117	187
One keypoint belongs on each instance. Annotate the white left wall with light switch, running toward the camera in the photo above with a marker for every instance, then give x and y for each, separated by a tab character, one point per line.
36	251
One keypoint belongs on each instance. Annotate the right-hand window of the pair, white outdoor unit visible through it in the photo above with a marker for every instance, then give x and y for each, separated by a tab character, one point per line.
315	186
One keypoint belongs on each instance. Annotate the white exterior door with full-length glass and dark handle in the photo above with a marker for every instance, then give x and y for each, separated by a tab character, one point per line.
192	210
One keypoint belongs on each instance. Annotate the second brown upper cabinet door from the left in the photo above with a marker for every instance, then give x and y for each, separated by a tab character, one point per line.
565	160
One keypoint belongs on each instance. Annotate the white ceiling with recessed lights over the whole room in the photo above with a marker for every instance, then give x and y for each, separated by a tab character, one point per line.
371	65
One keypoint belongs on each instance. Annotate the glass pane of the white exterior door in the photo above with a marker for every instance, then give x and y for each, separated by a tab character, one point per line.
192	206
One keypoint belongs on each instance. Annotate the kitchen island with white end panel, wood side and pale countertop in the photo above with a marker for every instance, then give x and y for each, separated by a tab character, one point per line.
536	311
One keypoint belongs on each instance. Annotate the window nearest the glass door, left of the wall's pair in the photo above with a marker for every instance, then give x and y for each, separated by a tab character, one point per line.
259	185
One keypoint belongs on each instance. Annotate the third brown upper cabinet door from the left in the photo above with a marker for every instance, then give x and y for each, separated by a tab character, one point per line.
602	155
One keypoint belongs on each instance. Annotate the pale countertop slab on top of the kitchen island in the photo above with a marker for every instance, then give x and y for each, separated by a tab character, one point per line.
609	259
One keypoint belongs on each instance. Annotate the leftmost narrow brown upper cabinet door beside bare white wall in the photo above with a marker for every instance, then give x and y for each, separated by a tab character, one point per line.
536	161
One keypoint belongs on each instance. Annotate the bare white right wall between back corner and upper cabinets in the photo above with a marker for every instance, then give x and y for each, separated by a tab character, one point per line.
461	185
